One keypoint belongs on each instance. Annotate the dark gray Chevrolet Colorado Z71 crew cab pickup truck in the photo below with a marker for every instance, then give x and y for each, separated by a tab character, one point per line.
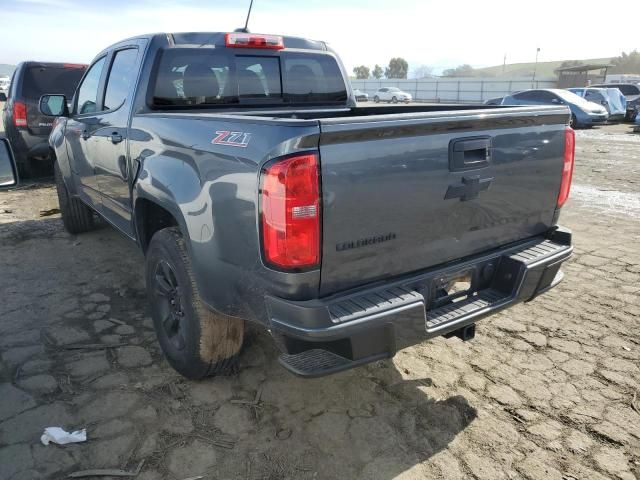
242	168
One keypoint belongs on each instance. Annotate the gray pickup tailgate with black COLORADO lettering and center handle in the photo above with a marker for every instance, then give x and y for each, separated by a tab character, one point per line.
405	192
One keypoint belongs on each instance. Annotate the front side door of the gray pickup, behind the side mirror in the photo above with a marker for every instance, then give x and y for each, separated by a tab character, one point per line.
81	126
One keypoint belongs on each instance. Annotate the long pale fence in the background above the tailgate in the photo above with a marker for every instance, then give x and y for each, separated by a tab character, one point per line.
465	90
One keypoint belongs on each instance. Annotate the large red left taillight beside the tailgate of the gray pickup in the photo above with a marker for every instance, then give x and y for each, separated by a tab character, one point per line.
290	202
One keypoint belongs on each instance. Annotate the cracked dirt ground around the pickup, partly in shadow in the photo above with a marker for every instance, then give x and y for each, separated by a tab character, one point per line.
547	390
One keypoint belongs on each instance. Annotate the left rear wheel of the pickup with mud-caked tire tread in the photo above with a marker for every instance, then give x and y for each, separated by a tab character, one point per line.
196	341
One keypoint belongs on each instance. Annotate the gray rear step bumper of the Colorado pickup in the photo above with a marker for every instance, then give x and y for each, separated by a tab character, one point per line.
367	325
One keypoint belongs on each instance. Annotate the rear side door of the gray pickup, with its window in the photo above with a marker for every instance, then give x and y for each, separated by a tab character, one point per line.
112	167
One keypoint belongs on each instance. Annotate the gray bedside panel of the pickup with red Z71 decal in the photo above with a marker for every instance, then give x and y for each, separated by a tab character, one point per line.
213	190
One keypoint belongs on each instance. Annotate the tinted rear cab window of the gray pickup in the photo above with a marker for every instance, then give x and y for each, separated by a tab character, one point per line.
200	77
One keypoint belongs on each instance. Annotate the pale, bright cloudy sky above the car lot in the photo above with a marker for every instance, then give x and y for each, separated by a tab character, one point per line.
440	34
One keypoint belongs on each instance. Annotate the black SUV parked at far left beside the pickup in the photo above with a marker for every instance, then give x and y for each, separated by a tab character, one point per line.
26	128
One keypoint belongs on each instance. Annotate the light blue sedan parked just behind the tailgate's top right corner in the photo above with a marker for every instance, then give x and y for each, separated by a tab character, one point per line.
583	113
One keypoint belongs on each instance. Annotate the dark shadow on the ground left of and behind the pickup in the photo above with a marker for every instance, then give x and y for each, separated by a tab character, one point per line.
376	421
